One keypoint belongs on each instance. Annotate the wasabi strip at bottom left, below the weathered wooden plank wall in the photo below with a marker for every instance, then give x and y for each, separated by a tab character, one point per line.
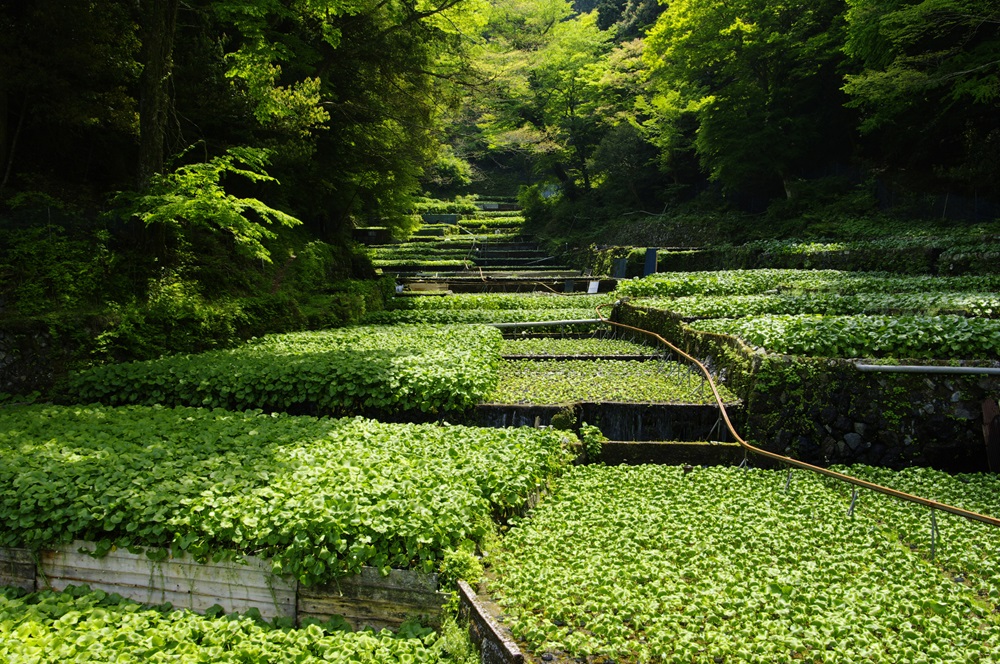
77	625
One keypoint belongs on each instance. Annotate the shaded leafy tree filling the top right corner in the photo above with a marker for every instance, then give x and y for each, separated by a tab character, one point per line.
928	87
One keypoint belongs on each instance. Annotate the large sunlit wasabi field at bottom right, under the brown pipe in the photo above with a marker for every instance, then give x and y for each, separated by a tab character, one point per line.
661	564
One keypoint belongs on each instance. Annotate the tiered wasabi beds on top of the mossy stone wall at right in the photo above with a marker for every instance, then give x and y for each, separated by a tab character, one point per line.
830	313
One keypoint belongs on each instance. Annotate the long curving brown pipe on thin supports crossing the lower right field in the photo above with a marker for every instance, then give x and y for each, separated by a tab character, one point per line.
878	488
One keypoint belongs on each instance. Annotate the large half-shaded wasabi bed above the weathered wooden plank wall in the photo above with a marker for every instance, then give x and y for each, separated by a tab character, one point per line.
319	498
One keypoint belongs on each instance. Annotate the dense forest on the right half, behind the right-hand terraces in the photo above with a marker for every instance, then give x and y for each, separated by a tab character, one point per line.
780	106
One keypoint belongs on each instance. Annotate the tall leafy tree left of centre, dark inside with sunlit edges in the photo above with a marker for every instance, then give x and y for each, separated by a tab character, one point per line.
352	96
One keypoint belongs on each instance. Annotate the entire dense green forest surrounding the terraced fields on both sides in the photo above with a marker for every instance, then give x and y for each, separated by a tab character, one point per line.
207	160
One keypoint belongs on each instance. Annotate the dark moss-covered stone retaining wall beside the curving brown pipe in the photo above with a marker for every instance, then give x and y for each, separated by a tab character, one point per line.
826	411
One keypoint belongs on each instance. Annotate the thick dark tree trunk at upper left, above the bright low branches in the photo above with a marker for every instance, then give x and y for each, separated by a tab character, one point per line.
158	21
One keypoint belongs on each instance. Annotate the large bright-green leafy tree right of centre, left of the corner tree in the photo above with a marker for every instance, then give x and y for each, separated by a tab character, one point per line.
761	80
